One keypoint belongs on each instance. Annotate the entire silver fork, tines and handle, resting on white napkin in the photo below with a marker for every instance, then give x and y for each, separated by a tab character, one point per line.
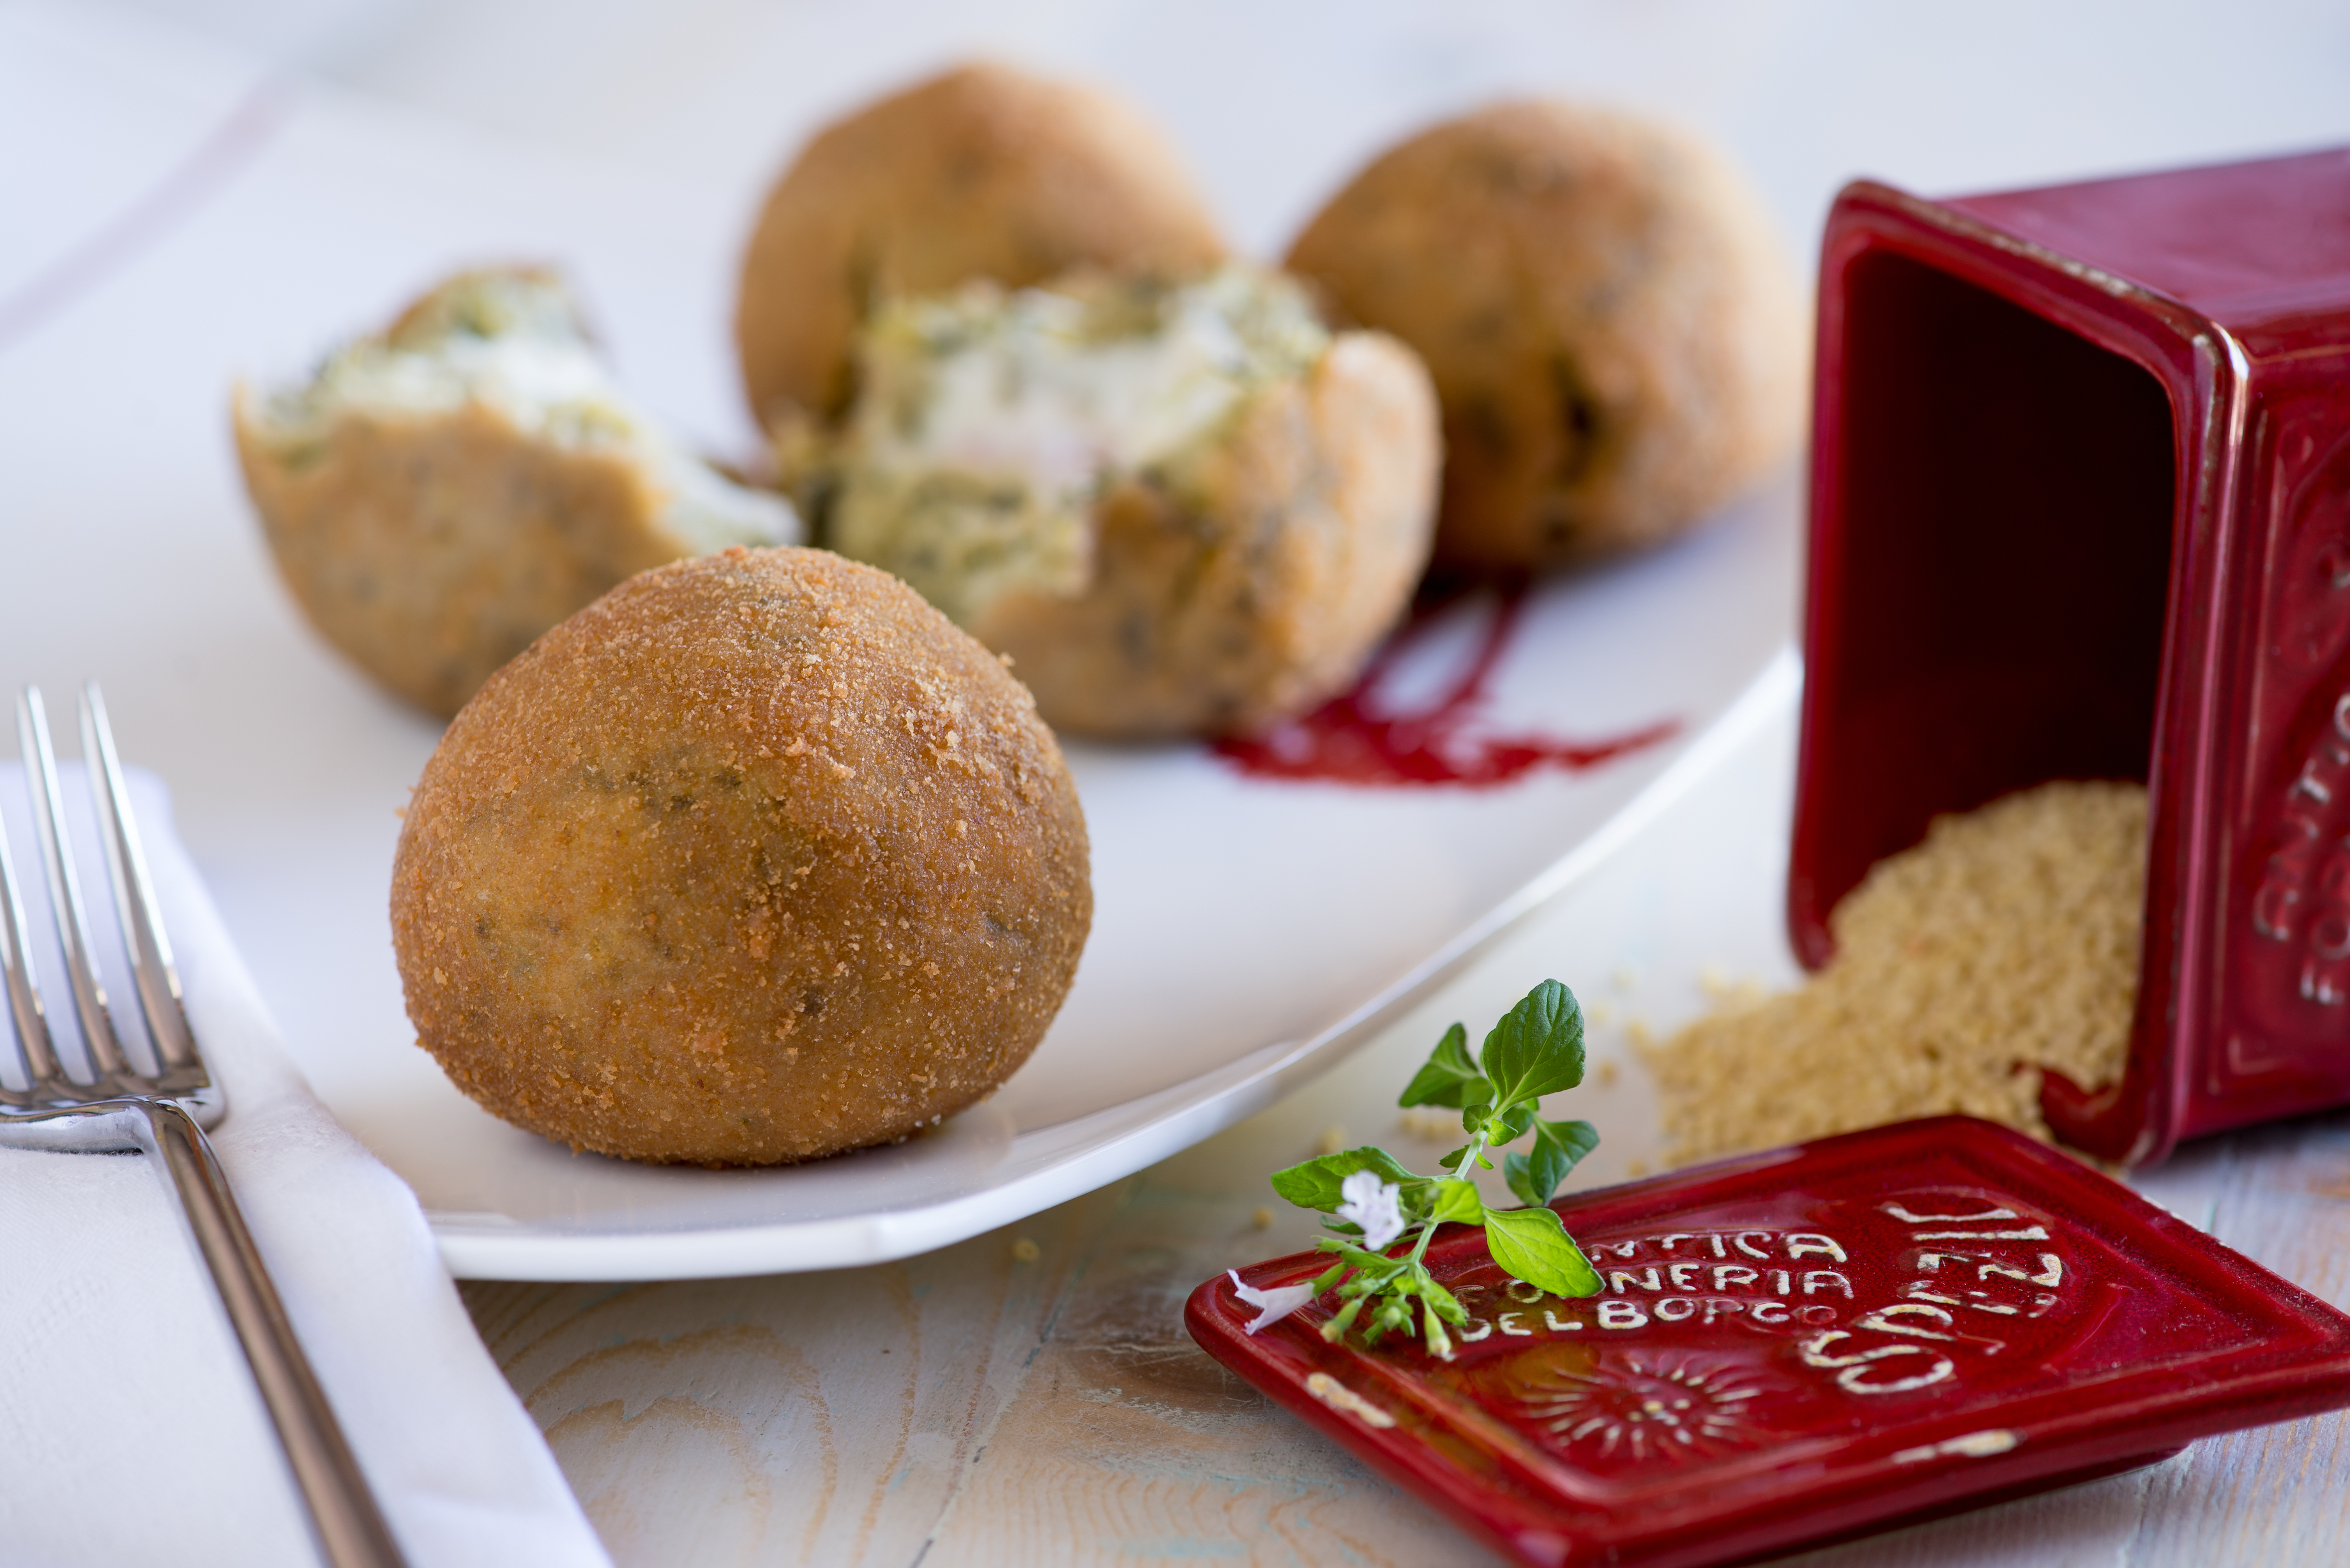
161	1113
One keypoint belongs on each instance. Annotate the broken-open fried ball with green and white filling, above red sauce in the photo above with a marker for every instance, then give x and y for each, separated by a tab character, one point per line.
1181	507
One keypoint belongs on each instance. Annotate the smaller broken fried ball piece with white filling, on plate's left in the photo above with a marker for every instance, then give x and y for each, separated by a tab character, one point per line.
448	490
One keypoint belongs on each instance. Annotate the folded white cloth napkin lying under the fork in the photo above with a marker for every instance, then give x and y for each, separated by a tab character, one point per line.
130	1430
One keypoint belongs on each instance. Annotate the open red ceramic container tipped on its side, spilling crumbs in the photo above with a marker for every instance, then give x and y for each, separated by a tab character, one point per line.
2081	509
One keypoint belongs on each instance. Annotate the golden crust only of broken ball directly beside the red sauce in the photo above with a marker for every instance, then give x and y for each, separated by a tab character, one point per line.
1249	582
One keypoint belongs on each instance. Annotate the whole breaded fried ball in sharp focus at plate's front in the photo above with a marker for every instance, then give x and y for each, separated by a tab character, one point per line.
751	862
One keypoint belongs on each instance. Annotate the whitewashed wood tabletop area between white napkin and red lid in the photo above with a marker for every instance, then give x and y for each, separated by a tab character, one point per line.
972	1407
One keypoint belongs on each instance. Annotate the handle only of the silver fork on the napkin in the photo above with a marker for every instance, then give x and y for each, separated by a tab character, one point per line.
344	1513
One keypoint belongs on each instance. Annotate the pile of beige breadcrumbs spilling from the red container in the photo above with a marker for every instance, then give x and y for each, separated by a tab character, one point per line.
2003	944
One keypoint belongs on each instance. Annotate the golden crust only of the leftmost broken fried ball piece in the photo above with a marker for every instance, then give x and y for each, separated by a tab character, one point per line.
431	549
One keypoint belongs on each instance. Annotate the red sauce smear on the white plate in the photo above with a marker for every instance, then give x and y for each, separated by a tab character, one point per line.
1355	739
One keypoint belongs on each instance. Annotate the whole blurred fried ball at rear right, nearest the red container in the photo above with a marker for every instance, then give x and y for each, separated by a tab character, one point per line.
1616	335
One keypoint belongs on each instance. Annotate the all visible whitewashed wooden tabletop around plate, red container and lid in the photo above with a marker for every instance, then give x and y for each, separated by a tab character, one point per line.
1030	1395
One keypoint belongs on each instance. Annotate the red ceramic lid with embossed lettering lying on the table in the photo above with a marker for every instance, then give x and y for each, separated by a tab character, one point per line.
1804	1346
